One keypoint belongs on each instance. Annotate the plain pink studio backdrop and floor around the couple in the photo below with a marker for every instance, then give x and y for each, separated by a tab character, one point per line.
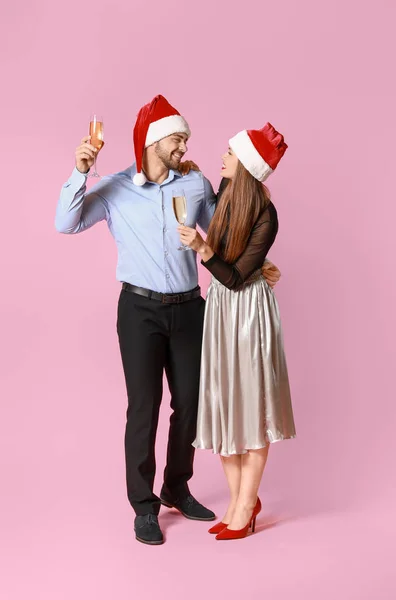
323	73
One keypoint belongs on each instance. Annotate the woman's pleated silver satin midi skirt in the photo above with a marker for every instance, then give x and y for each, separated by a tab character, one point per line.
244	397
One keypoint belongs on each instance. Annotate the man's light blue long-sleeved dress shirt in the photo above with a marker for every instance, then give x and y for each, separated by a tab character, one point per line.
142	222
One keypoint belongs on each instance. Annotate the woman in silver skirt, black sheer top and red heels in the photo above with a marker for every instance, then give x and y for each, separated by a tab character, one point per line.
244	402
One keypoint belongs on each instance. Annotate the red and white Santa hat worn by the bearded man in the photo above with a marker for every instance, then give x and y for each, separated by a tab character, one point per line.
155	120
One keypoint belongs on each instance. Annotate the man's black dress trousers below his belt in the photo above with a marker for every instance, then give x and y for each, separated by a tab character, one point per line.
154	336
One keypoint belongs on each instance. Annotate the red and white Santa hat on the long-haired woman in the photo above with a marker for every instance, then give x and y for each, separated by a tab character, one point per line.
259	150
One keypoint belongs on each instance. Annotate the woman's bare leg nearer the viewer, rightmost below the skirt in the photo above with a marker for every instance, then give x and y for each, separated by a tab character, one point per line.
252	468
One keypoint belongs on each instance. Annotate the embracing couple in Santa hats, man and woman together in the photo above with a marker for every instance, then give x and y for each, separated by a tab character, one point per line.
238	400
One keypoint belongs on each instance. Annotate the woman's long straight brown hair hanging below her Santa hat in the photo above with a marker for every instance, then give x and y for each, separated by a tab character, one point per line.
238	209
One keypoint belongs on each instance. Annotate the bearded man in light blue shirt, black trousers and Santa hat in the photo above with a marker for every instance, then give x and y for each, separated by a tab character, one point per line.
160	310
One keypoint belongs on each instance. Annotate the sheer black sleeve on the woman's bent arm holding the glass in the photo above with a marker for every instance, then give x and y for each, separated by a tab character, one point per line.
260	241
